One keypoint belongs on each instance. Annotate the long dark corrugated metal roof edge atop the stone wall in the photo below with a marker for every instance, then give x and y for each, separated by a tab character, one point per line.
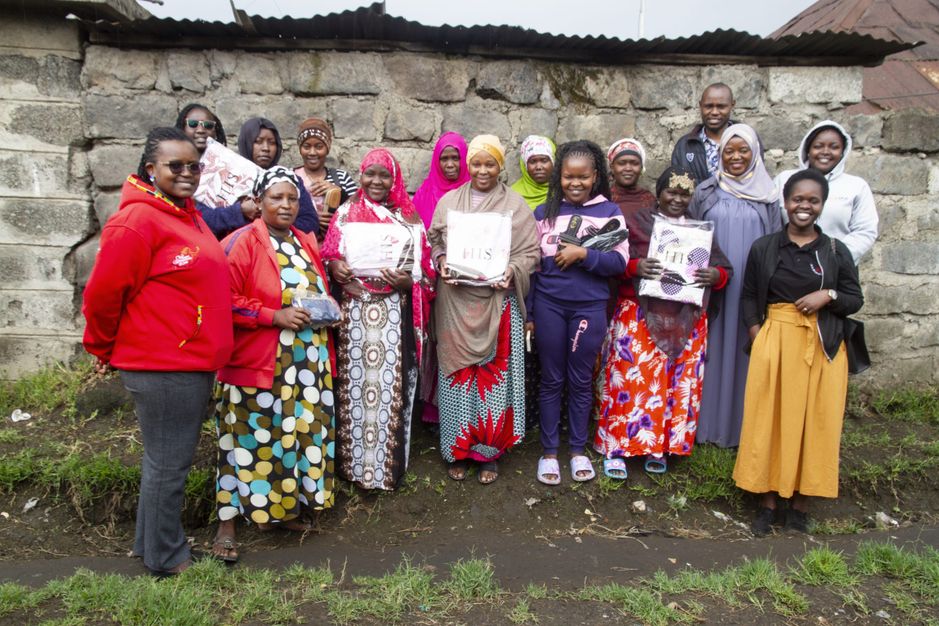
370	28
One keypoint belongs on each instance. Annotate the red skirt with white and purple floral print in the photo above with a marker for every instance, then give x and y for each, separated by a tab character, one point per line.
649	403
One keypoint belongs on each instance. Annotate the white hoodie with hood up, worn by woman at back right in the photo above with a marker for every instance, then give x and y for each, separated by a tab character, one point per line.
849	214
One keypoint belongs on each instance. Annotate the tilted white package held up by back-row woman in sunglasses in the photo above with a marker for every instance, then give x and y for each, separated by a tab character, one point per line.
226	176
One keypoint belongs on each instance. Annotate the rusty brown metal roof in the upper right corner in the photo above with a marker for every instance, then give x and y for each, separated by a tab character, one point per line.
907	79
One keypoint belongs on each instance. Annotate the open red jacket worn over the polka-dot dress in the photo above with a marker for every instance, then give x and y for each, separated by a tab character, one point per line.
255	296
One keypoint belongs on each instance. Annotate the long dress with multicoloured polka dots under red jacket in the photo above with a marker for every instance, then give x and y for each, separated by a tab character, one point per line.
277	445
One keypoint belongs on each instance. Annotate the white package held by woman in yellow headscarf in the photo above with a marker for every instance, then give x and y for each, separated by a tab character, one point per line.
478	246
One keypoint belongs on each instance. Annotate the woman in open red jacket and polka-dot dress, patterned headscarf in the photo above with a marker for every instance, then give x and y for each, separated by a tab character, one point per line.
276	413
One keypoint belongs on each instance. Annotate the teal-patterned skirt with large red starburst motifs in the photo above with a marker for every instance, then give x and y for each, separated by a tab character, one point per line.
485	403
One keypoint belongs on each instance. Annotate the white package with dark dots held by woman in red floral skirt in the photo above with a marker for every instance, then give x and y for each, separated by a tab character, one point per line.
682	246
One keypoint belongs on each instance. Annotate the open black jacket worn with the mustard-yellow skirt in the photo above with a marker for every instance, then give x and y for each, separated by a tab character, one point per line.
839	273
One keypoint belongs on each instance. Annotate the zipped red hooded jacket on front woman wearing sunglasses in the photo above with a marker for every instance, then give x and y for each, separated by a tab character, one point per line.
158	296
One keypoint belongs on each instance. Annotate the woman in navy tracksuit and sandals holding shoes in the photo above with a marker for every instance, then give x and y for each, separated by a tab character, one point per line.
583	243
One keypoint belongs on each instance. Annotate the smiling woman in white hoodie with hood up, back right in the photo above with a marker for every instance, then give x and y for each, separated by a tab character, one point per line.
850	214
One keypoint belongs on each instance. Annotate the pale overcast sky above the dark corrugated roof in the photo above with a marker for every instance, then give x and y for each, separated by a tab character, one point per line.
613	18
